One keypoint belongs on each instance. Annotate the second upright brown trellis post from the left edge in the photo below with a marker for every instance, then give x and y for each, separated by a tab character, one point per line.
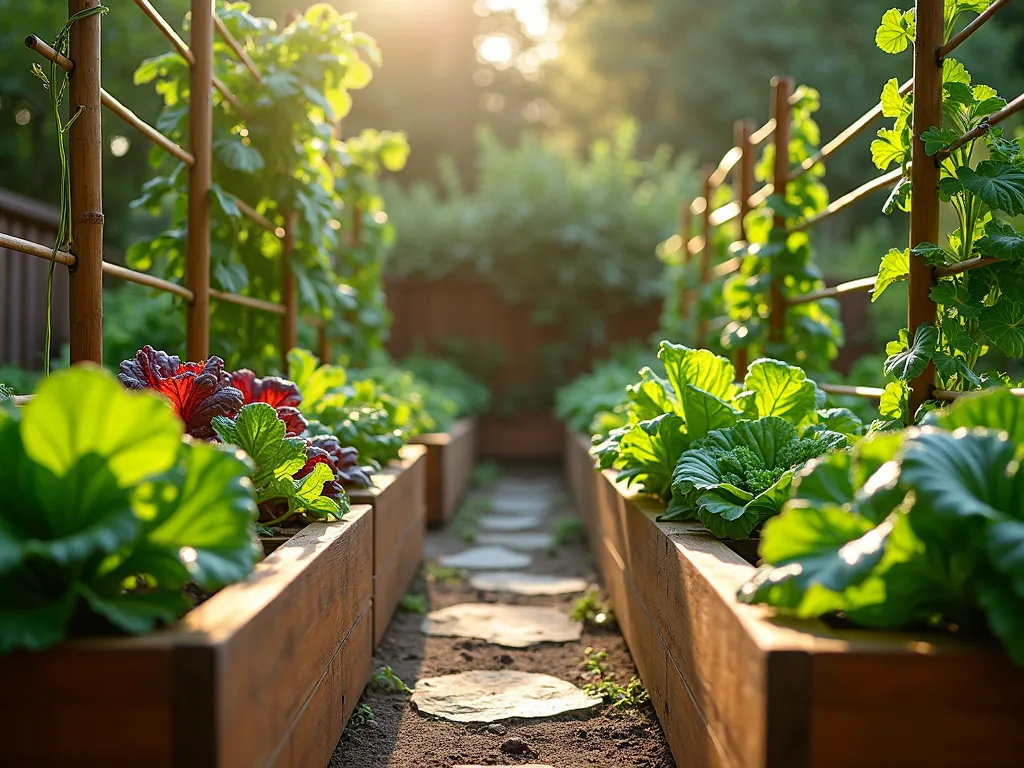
200	181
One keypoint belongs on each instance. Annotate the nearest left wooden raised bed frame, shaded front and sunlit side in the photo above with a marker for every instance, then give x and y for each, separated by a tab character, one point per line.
266	673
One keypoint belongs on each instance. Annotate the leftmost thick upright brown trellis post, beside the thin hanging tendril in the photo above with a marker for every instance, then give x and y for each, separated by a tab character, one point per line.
87	161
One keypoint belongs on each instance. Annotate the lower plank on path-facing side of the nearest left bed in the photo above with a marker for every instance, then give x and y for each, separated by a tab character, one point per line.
316	734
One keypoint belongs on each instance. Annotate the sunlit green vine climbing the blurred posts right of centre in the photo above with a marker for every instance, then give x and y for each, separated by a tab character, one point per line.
813	332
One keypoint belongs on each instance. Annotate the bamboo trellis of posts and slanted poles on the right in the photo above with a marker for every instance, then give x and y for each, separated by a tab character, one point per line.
930	52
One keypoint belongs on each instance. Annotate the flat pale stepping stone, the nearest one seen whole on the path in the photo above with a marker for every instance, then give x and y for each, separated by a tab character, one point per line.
490	697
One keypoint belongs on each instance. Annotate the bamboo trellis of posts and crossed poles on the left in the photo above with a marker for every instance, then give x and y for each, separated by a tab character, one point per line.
84	258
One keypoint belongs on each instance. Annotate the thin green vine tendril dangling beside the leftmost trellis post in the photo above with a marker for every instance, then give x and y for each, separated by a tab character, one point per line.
65	235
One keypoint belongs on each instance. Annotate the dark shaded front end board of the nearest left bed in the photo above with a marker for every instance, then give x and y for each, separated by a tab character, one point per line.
88	706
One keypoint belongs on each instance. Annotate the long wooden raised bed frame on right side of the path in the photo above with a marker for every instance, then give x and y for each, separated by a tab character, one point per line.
736	687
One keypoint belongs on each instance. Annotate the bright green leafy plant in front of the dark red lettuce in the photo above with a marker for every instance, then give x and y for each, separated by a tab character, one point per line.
258	431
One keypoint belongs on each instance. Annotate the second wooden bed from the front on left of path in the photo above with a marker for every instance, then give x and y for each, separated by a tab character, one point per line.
399	499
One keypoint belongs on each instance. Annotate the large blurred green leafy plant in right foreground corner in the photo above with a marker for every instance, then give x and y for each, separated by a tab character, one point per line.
921	528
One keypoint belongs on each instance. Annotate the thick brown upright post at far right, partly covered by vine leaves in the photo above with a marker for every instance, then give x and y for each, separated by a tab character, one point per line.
925	176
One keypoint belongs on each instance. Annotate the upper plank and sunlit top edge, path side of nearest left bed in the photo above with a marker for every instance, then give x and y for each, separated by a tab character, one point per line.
290	618
